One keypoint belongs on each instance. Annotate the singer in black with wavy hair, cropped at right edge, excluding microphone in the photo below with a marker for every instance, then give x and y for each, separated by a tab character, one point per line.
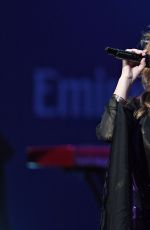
125	124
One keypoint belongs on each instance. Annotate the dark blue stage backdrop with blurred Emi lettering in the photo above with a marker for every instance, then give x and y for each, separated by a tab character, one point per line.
56	79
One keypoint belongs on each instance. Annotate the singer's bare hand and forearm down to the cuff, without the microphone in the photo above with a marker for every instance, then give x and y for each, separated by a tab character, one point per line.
130	72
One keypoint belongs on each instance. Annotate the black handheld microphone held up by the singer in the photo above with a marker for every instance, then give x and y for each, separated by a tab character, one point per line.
122	54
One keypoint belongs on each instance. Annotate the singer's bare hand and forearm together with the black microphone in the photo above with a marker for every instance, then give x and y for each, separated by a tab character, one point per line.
134	61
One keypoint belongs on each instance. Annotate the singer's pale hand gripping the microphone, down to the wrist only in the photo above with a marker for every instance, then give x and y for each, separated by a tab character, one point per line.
130	70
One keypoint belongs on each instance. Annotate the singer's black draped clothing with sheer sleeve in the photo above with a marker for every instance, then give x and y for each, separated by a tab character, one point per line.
129	167
